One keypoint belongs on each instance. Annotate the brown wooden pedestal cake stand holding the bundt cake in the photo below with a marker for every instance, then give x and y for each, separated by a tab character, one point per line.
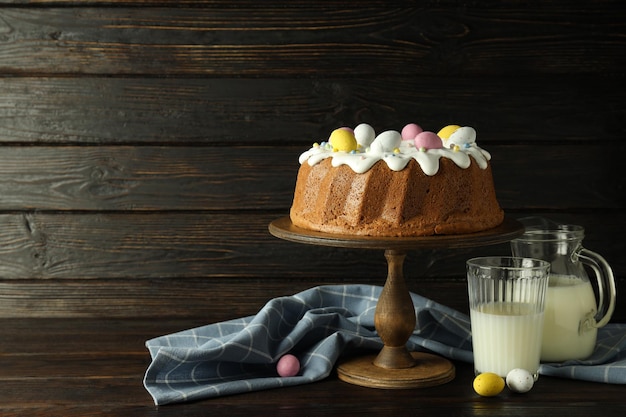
394	367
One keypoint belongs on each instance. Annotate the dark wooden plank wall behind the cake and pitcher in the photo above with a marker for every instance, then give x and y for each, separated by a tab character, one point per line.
145	146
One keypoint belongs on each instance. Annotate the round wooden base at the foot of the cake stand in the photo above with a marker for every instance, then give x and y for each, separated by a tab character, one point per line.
429	370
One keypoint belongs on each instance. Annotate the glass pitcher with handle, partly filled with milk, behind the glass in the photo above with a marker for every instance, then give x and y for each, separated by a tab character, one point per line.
572	313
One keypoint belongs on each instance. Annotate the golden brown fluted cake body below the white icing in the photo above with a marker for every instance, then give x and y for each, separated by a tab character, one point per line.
381	202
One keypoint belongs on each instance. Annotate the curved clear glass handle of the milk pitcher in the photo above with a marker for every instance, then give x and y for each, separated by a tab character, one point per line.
606	282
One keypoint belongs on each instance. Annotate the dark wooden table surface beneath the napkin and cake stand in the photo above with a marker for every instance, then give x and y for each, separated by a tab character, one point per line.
94	367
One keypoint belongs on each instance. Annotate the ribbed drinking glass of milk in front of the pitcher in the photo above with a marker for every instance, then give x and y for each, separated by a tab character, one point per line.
507	300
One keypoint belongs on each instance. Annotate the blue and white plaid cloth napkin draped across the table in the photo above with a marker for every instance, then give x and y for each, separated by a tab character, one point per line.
318	326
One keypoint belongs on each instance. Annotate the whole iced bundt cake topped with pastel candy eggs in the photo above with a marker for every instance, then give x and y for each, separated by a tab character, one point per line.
408	183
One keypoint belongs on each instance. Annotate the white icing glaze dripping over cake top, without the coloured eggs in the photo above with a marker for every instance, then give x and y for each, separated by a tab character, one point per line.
397	153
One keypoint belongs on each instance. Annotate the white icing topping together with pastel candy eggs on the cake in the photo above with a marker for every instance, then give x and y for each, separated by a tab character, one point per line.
457	144
